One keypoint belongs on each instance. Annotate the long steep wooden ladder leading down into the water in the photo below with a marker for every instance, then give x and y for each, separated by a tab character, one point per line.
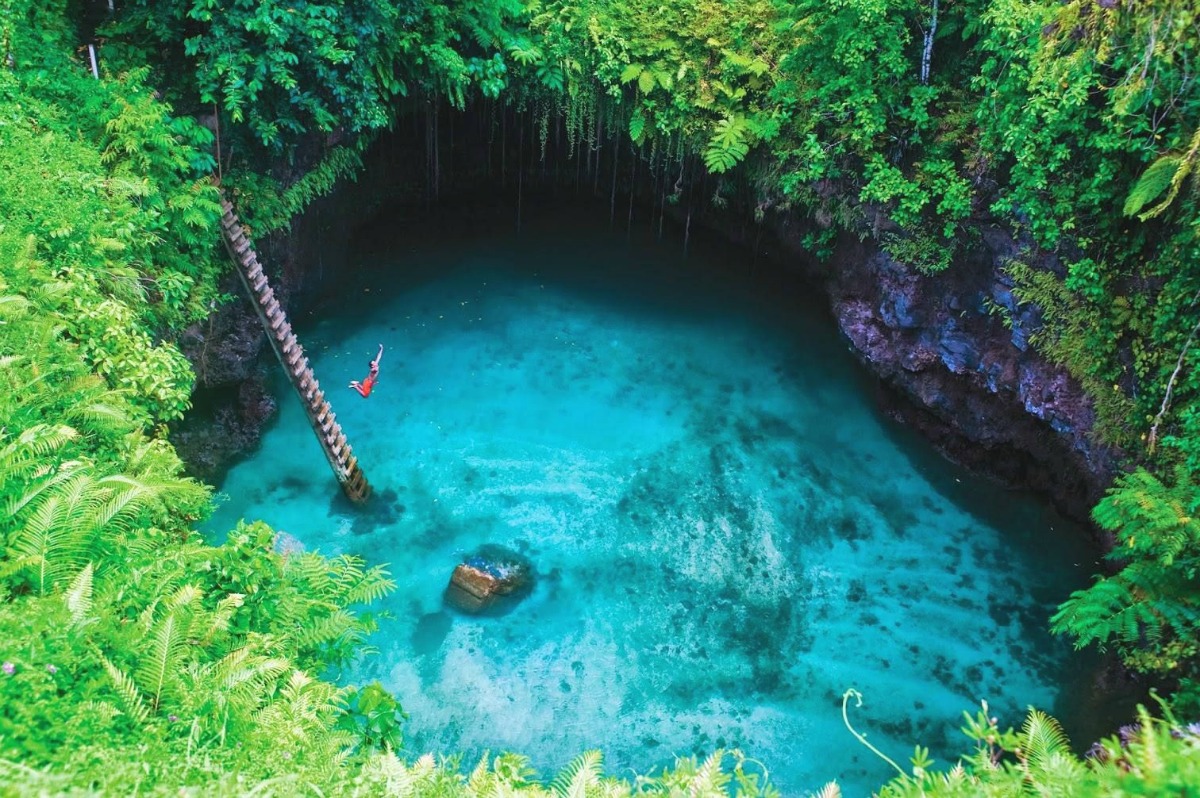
291	355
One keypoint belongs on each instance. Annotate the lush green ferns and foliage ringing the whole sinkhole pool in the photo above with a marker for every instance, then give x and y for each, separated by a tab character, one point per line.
141	656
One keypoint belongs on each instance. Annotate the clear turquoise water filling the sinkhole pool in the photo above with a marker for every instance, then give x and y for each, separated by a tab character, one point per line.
728	535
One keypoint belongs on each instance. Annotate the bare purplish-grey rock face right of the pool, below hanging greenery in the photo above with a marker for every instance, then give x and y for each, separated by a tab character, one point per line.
953	369
